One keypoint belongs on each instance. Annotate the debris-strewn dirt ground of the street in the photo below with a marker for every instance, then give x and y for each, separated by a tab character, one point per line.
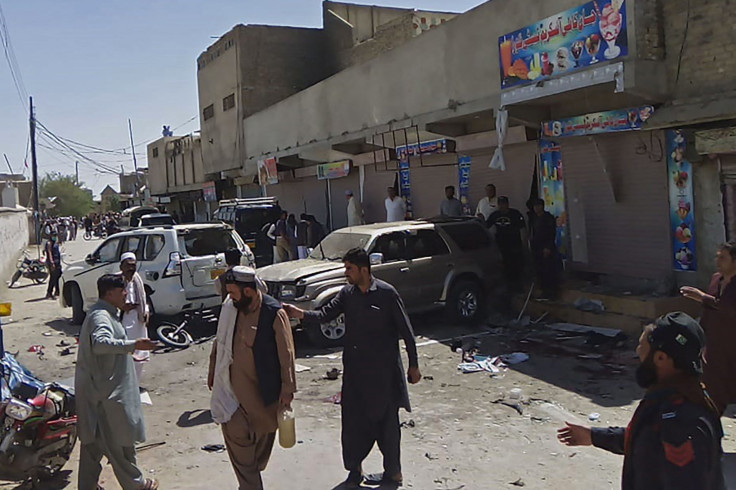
459	436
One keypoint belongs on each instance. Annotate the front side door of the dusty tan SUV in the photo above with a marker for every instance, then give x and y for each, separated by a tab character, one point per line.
395	268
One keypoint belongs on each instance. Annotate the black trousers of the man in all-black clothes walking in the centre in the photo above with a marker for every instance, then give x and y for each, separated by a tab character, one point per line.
361	432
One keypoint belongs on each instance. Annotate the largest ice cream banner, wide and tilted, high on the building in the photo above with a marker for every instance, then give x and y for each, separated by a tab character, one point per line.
572	40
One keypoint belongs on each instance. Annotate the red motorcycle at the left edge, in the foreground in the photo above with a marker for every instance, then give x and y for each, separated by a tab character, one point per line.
39	425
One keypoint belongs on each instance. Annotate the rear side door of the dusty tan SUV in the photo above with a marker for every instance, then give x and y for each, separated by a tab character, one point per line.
430	262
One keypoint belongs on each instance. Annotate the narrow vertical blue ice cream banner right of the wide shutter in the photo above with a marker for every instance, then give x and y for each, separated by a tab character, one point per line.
682	207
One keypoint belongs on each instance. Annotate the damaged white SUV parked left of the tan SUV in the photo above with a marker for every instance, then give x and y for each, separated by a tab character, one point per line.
178	265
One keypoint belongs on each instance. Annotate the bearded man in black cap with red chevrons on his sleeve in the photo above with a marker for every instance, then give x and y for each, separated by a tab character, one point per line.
674	439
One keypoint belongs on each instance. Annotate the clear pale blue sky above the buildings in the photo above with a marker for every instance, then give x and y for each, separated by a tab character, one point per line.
90	65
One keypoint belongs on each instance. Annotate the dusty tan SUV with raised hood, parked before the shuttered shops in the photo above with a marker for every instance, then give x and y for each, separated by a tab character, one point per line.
439	263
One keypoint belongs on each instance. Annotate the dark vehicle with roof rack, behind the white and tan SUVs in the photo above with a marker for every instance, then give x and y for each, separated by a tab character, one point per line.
250	217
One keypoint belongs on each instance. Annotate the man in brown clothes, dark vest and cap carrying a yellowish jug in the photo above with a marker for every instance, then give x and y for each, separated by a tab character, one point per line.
251	374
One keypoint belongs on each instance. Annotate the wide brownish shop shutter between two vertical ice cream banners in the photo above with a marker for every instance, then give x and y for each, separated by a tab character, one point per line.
629	236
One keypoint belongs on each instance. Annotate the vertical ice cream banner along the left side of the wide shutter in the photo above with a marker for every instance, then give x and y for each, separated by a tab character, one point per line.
552	188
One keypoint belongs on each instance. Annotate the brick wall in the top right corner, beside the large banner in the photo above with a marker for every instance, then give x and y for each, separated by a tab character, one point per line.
708	46
